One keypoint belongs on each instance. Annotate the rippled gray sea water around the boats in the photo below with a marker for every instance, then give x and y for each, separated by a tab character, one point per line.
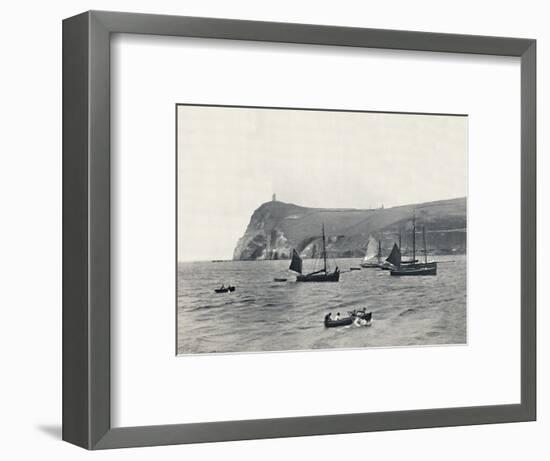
263	315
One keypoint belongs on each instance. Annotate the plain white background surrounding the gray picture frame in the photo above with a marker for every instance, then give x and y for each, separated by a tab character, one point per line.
30	188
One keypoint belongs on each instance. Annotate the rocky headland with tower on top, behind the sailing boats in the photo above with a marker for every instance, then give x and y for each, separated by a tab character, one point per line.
276	228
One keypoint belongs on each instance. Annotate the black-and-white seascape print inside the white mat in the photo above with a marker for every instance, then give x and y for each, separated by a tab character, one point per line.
302	229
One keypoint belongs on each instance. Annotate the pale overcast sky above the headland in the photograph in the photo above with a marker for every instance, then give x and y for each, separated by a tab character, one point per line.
231	160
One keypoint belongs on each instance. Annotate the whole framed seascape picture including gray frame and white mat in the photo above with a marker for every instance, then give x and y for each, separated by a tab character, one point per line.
276	230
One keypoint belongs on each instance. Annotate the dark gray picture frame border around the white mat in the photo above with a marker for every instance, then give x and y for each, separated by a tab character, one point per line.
86	229
